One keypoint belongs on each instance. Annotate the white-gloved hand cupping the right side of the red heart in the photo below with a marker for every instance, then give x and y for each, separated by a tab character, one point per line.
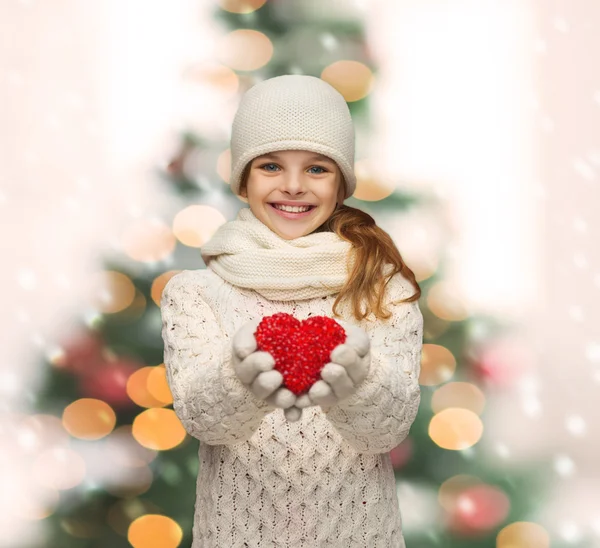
348	368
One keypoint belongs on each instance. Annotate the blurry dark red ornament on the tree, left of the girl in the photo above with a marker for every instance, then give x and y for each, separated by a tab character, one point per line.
108	382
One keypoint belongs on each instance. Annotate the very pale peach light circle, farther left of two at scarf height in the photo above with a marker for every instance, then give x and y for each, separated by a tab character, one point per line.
148	240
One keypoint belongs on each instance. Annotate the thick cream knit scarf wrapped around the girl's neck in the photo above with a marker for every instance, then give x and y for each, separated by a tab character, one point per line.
246	253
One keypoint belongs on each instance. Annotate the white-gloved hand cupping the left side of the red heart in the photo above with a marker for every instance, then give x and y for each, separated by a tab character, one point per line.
255	368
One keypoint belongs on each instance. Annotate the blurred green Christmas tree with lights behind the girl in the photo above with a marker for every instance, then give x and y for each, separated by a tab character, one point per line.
107	386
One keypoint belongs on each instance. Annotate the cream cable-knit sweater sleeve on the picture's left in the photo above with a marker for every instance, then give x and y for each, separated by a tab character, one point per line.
210	401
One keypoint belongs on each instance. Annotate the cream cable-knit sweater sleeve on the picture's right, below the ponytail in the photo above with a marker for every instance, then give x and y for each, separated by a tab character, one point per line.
378	416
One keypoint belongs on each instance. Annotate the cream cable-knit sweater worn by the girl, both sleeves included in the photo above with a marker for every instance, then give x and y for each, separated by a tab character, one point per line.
325	480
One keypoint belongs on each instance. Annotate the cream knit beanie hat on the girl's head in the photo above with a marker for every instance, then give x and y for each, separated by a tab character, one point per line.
293	112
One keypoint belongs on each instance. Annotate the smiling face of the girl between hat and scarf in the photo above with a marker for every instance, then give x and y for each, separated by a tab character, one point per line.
296	177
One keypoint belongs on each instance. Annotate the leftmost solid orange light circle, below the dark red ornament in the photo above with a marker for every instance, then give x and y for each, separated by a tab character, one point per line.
89	419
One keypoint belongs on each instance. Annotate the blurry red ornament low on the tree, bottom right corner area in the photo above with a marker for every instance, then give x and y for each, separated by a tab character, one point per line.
478	509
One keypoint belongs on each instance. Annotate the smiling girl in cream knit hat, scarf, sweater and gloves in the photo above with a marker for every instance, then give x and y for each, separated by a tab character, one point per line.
277	469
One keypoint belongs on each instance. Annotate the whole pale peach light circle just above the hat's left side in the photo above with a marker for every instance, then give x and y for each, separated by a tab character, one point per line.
244	49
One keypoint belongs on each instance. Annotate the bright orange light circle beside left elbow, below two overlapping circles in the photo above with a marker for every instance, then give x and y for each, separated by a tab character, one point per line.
158	429
